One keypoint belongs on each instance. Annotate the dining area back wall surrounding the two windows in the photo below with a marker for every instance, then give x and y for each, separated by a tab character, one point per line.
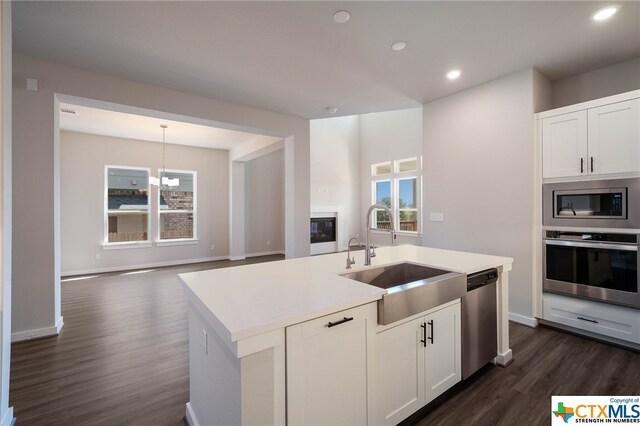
82	161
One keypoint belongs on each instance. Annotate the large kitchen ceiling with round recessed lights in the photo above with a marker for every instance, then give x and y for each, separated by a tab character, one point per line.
293	58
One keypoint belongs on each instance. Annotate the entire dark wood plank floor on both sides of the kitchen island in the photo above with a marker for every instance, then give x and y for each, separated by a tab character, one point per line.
122	359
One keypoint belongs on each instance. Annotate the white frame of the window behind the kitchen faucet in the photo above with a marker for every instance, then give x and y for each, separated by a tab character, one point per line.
395	177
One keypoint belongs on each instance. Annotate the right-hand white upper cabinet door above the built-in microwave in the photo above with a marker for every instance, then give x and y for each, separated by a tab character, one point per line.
614	138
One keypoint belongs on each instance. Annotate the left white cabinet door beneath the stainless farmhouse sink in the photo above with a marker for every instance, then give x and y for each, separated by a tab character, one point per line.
396	382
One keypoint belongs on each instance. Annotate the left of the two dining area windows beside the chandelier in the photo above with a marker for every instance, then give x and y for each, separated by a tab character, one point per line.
126	204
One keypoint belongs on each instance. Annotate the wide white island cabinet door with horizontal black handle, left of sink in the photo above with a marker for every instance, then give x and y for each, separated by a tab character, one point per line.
327	369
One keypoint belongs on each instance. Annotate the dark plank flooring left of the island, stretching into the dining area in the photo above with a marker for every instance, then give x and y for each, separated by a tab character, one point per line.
121	358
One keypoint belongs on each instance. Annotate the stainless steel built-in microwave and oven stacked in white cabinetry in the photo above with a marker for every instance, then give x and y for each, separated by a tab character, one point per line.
591	238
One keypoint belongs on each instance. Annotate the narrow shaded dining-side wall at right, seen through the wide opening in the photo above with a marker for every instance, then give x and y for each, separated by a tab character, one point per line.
264	204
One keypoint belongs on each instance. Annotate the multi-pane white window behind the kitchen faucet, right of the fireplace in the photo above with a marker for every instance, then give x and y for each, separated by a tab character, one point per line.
397	185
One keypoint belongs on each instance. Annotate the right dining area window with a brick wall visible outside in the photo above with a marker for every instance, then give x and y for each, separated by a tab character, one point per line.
177	206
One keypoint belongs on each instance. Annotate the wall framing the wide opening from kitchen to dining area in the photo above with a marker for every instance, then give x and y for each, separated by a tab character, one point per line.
36	254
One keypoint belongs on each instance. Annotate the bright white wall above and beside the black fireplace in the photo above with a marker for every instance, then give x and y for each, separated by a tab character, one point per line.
335	172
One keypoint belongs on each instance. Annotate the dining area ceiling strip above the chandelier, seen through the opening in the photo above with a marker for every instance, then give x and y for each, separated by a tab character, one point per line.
130	126
